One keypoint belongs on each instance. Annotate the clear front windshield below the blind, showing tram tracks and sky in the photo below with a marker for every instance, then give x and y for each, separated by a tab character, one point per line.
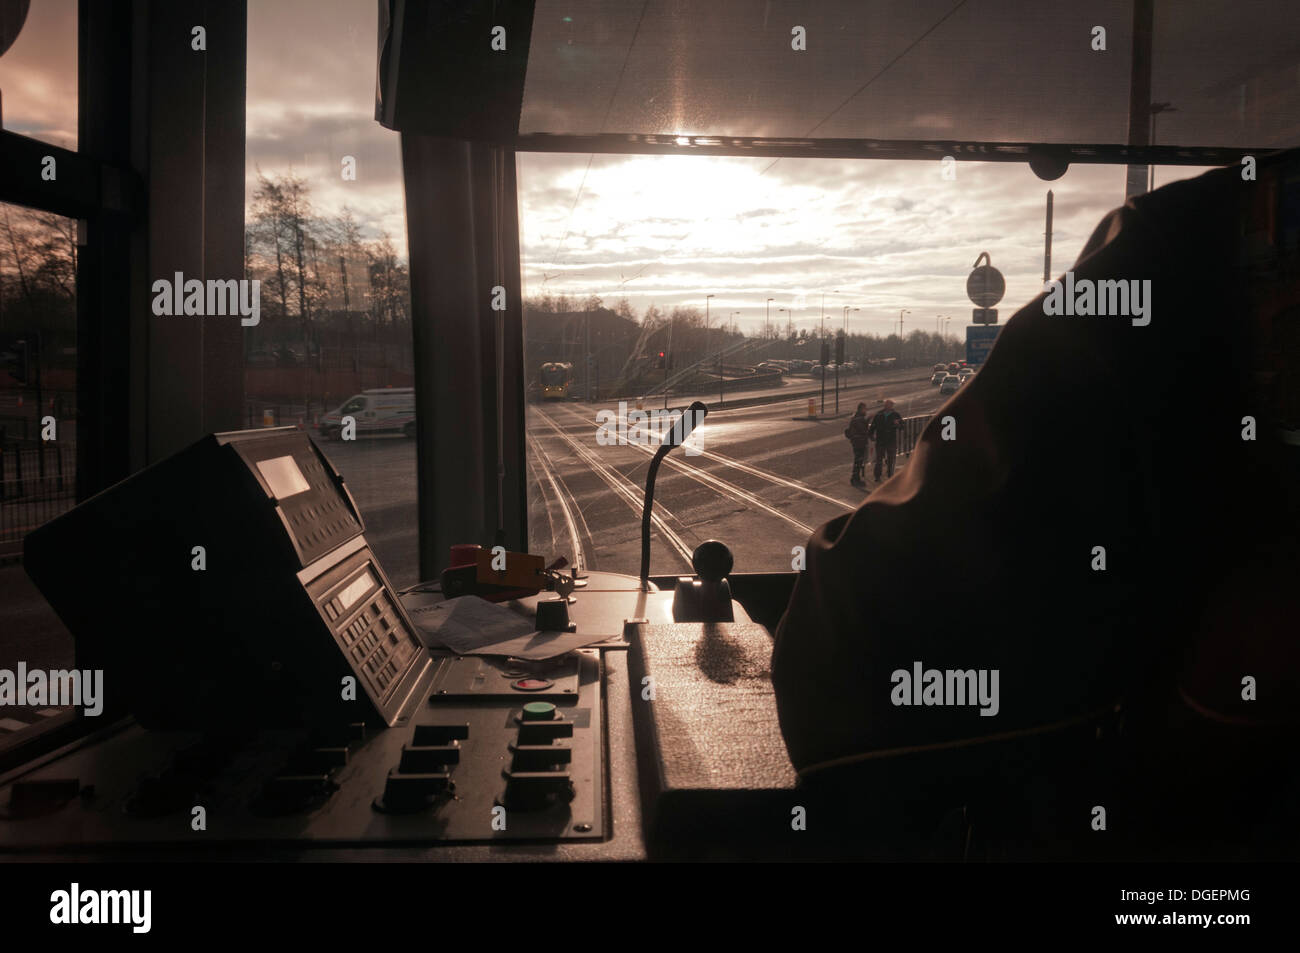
725	266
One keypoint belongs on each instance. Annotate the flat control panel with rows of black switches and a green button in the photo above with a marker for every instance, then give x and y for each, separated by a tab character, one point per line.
488	751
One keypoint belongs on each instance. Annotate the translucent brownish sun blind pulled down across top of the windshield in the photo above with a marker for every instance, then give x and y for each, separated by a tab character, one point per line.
994	71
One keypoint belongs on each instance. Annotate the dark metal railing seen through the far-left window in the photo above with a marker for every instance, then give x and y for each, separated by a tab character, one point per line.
37	484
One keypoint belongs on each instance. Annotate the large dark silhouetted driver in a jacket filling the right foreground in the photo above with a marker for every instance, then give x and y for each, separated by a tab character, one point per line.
1164	578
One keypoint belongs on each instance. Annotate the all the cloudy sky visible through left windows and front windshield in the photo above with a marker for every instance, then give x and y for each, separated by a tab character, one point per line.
883	236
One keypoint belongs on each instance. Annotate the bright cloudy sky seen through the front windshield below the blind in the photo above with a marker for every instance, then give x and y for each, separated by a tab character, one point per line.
885	236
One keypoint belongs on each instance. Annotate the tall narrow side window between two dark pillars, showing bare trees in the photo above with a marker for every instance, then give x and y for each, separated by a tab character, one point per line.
326	223
